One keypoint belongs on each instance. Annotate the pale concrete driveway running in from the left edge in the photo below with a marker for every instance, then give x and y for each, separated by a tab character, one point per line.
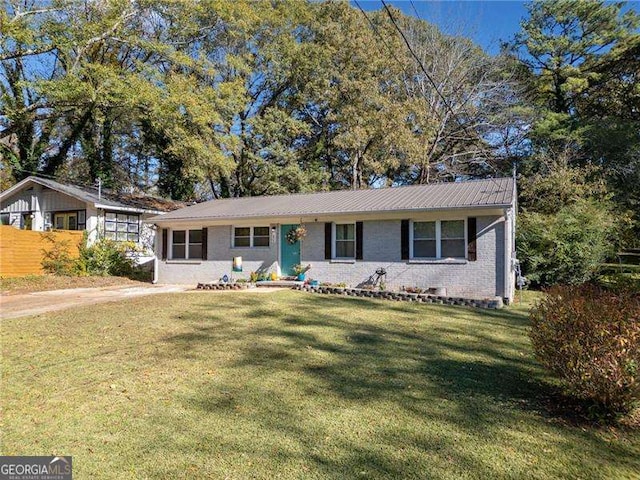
13	306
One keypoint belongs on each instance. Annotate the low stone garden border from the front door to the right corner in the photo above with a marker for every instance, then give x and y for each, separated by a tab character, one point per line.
491	303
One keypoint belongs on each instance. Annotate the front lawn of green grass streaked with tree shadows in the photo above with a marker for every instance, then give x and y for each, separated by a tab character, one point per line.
292	385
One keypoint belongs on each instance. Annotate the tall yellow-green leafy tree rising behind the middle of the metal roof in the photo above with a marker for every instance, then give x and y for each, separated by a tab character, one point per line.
356	108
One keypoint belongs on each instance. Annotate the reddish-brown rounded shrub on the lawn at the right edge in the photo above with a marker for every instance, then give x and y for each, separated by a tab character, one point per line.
590	338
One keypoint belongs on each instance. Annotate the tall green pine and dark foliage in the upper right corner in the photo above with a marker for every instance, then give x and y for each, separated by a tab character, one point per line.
583	58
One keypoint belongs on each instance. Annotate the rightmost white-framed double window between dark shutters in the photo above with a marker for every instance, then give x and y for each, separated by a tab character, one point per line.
438	239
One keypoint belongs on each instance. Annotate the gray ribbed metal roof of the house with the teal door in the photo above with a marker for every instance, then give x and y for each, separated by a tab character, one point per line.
495	192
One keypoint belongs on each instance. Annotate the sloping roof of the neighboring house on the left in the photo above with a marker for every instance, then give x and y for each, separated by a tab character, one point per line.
106	199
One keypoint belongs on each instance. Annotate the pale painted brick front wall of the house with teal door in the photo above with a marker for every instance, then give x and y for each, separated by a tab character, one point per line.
381	248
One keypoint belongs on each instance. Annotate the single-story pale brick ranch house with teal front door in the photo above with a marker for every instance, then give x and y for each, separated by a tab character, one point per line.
454	235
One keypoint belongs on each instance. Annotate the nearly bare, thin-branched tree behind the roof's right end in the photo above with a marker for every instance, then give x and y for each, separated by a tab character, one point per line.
464	106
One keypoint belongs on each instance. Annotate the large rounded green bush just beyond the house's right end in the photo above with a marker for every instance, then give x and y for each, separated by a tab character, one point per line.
566	247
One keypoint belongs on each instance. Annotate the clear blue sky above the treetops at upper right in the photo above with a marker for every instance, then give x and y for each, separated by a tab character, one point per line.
487	22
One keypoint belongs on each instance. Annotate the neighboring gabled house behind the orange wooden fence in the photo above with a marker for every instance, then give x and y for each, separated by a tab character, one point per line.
37	203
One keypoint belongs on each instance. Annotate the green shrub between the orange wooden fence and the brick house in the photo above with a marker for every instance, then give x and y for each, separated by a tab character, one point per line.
106	257
